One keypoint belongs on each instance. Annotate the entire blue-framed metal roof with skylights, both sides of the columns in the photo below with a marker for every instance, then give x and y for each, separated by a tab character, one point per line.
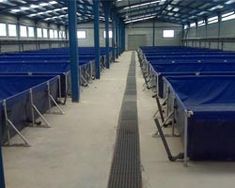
176	11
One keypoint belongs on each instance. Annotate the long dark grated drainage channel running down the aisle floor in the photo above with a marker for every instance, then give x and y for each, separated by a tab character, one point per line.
126	166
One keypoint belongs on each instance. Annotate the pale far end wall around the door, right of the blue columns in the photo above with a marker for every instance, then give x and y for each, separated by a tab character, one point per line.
147	29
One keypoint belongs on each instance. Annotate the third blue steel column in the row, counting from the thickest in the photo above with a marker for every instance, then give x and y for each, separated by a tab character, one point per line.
107	12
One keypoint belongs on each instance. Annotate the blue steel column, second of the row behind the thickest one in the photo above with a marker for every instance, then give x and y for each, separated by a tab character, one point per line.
97	37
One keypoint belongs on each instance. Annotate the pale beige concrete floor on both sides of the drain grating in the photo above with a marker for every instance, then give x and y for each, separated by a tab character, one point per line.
77	150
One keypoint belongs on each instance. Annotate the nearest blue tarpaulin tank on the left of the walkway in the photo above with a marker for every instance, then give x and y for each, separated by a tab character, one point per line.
15	91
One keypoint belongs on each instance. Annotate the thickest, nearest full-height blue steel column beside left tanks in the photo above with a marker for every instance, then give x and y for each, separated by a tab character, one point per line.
73	44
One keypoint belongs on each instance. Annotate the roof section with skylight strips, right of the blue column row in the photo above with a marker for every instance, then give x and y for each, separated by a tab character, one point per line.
176	11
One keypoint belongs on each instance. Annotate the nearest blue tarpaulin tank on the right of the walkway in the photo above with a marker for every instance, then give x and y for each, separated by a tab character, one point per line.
211	128
